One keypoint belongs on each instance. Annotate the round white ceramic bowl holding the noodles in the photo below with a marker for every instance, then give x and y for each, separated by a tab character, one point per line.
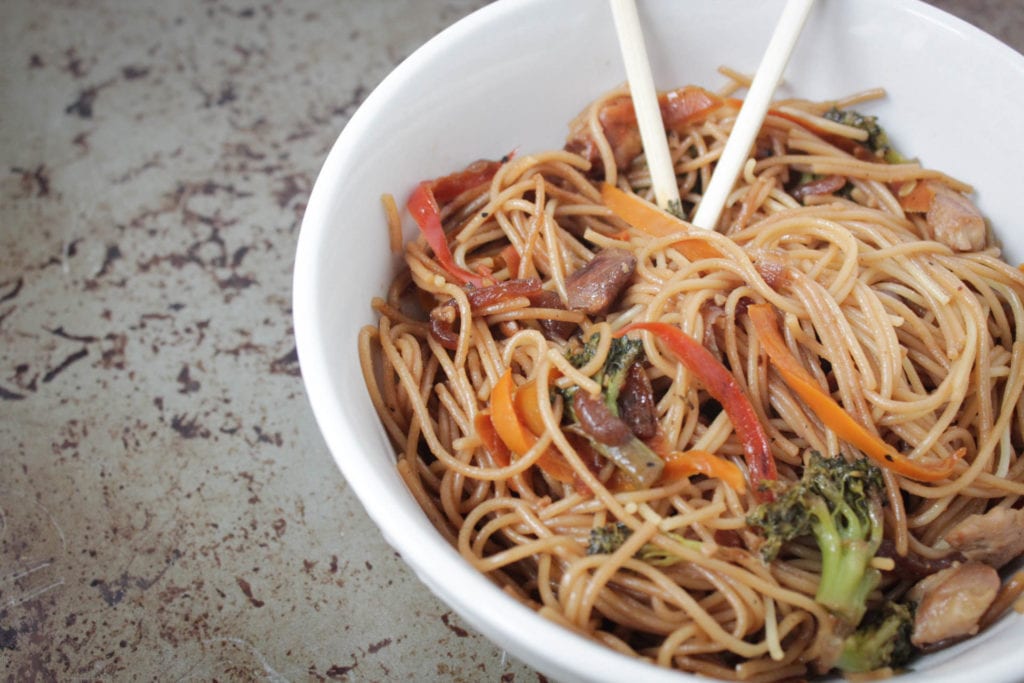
511	76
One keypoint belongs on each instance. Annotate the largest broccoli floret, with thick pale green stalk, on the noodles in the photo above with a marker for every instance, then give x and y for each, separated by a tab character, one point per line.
838	502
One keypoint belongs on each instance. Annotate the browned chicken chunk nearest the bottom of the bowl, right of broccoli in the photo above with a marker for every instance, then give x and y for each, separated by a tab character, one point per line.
951	603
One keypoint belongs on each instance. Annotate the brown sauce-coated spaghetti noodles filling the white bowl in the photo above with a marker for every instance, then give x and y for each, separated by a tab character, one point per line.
913	335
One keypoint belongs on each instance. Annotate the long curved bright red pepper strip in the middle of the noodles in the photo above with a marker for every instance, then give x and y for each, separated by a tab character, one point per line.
723	388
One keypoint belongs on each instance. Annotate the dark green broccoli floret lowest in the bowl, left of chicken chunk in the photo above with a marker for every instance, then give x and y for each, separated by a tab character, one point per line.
882	642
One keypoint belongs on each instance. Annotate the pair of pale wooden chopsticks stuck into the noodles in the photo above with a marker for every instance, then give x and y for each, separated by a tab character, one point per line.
745	131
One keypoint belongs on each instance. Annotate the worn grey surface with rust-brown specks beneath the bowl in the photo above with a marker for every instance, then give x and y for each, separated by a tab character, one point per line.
168	509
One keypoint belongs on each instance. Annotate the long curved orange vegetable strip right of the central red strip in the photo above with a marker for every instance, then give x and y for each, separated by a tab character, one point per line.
831	413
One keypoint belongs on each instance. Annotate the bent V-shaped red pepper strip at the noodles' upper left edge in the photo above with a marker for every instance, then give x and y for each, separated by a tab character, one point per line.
423	205
